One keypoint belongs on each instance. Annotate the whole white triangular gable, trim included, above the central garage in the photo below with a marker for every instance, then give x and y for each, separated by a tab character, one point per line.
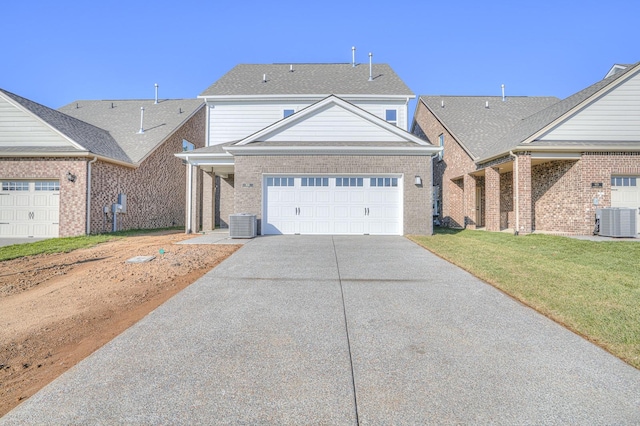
329	121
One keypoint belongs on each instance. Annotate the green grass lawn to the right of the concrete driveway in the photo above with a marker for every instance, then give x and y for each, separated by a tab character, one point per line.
593	288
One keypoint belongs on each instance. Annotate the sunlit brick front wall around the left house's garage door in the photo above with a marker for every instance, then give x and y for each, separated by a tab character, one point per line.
73	195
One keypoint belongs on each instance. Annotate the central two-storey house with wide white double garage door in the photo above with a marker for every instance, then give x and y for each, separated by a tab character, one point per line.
311	149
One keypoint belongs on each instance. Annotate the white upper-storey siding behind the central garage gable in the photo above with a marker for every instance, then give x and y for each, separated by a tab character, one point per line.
230	121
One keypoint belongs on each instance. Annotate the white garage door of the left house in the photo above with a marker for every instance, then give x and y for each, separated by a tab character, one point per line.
29	208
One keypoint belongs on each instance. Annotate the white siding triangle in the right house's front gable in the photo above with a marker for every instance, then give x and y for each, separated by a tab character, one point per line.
613	117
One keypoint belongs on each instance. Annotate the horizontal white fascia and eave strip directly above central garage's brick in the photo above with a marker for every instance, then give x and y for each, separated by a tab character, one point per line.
333	150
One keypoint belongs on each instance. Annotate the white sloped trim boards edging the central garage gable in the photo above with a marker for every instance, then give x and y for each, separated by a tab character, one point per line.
331	100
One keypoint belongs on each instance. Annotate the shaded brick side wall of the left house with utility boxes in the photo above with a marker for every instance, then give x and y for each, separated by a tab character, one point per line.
156	190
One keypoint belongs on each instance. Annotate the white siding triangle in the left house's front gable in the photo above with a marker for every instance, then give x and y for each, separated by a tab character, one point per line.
22	129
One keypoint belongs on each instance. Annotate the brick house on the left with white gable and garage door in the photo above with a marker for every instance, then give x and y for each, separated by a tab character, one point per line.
62	171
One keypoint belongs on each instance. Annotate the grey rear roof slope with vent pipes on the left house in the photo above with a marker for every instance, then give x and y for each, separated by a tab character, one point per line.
121	119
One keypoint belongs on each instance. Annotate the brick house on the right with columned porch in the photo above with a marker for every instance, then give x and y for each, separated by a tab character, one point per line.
536	164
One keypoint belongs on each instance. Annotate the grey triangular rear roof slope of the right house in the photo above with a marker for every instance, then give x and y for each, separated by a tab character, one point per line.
474	125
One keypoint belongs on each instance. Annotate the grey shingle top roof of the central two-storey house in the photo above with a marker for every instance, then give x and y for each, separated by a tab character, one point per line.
308	79
